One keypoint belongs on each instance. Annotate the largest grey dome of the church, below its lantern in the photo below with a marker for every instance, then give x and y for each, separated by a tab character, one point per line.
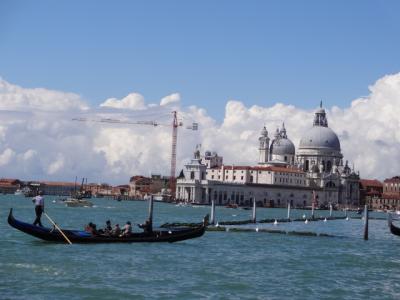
319	137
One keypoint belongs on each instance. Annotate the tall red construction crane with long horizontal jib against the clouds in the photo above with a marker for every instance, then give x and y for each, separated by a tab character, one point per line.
175	124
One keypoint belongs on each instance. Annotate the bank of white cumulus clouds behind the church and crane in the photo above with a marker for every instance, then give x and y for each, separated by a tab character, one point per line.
43	142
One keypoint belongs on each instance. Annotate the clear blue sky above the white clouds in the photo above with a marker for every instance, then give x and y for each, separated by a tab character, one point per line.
259	52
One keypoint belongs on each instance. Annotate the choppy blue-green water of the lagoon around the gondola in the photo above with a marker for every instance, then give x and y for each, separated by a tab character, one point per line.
219	265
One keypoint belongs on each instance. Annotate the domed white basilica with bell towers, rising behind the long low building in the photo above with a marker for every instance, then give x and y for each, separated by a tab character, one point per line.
319	156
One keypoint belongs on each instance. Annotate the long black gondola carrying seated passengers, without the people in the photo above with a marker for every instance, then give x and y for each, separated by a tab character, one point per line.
79	236
